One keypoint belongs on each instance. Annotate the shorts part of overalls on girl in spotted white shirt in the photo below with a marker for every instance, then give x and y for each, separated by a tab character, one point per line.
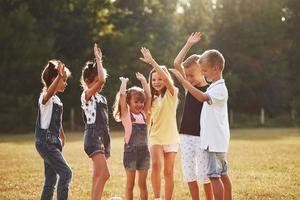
93	143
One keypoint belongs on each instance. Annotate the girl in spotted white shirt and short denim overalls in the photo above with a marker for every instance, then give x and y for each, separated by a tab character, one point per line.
96	132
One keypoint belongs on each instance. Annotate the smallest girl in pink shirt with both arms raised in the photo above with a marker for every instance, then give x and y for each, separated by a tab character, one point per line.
131	107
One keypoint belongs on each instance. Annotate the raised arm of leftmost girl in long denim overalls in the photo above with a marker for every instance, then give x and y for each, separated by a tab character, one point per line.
52	89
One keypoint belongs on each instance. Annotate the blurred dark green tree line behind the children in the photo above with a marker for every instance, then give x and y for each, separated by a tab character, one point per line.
259	39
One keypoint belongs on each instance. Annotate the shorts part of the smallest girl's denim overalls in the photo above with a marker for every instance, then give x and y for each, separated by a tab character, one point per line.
136	157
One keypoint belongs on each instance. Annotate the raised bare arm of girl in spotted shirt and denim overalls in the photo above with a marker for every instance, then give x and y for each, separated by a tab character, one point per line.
101	74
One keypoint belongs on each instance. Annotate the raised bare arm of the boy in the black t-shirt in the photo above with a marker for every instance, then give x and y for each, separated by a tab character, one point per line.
193	39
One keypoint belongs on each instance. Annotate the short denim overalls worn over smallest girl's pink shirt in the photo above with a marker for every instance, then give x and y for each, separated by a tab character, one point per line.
136	152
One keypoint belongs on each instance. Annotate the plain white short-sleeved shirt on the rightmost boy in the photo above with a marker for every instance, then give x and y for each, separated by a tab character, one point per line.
214	123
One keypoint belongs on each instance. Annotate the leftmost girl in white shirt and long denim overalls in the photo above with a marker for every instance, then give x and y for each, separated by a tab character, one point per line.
49	131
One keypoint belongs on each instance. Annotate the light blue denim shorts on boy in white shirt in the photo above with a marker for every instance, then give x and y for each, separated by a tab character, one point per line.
217	164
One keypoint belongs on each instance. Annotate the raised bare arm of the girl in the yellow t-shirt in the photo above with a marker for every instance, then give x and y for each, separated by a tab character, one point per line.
147	58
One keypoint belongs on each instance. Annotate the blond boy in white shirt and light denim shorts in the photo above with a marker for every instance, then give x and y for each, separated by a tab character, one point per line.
214	121
